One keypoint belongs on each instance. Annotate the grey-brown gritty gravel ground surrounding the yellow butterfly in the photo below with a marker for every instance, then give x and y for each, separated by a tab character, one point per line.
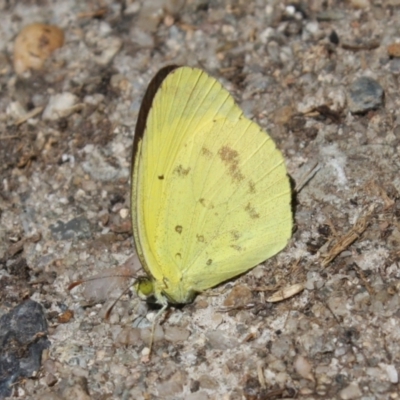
322	78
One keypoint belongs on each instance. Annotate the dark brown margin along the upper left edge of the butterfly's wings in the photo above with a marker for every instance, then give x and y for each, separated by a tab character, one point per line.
145	107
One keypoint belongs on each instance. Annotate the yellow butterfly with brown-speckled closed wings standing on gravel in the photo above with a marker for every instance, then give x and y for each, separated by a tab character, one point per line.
210	197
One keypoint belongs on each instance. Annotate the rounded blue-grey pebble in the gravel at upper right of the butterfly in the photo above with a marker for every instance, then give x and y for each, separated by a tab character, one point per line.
365	94
